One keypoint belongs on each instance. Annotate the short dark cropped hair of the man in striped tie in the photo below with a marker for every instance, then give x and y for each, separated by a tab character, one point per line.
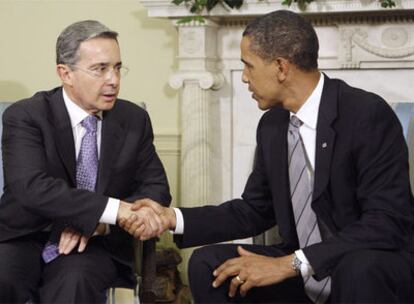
284	34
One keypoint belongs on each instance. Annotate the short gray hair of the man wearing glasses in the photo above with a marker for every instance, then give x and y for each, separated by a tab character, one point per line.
68	42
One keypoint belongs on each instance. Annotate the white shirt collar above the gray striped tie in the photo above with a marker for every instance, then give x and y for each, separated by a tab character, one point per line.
308	112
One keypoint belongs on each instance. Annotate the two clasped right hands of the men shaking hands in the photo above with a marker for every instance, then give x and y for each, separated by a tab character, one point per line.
145	218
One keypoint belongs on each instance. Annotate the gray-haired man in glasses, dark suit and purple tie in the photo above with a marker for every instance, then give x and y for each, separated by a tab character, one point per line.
74	159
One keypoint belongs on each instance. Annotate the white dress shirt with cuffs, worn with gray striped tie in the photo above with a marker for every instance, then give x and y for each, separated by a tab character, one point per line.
308	114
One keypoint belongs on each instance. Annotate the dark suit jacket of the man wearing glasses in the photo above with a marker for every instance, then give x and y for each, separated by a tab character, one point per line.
39	168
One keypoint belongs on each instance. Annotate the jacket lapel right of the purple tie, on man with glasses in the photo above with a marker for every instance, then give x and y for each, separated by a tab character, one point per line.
113	134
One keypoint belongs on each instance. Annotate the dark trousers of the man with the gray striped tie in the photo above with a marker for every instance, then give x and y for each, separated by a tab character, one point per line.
367	276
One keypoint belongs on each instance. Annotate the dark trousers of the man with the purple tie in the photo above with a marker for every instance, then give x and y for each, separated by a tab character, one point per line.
74	278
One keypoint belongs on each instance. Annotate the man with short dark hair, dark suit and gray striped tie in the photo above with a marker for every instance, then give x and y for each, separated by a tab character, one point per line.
331	170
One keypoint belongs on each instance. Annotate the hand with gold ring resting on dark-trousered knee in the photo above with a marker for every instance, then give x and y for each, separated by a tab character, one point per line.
253	270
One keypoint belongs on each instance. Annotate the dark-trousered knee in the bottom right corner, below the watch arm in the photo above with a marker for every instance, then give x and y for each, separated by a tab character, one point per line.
371	276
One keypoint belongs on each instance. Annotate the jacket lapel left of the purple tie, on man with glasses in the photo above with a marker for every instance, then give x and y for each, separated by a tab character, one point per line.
63	133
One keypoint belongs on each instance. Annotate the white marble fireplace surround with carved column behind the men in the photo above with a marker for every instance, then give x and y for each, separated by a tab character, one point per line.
360	42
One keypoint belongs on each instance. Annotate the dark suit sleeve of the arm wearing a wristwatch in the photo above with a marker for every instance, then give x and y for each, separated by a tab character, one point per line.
383	195
